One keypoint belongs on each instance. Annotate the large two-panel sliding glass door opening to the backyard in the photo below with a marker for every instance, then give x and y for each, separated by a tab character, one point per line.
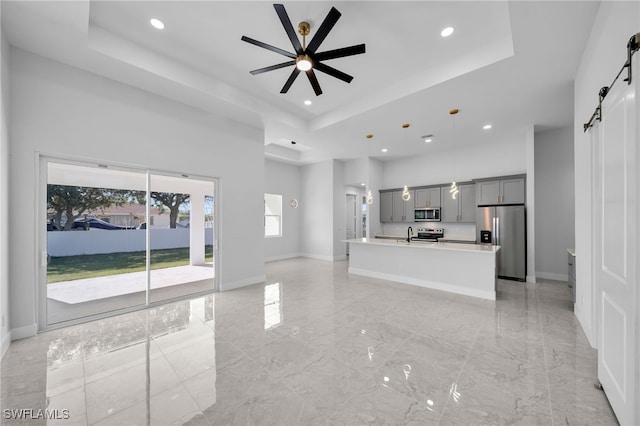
119	239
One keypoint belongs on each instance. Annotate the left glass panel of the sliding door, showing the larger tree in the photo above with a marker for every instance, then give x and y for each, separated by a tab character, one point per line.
96	253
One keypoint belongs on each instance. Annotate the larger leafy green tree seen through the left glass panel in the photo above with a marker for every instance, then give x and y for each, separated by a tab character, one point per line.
74	201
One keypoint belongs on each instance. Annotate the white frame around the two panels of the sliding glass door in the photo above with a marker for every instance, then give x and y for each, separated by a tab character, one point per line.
40	256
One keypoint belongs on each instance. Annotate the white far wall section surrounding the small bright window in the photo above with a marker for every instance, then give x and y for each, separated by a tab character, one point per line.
284	179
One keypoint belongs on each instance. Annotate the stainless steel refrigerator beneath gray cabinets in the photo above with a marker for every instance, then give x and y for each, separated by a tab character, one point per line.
505	226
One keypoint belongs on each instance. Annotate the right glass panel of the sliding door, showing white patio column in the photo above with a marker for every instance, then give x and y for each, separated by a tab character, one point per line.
178	237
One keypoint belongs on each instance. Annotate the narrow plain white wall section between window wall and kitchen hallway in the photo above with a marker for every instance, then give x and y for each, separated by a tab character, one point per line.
317	210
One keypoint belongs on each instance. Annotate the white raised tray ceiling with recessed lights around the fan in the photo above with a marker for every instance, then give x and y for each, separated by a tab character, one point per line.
510	64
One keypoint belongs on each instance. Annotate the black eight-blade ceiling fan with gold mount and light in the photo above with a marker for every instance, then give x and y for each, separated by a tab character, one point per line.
306	58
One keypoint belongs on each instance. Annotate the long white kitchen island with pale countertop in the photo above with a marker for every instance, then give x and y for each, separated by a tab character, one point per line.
467	269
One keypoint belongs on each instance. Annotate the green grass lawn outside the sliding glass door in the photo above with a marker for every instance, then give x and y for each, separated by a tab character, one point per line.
71	268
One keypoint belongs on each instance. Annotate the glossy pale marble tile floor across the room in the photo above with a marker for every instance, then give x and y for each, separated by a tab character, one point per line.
314	345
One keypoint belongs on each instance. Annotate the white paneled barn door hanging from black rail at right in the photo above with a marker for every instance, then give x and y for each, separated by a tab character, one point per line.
615	220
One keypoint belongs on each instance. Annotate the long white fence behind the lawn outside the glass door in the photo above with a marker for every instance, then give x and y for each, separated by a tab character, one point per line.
96	241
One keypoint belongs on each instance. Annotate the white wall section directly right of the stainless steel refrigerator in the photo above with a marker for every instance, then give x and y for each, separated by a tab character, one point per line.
555	202
